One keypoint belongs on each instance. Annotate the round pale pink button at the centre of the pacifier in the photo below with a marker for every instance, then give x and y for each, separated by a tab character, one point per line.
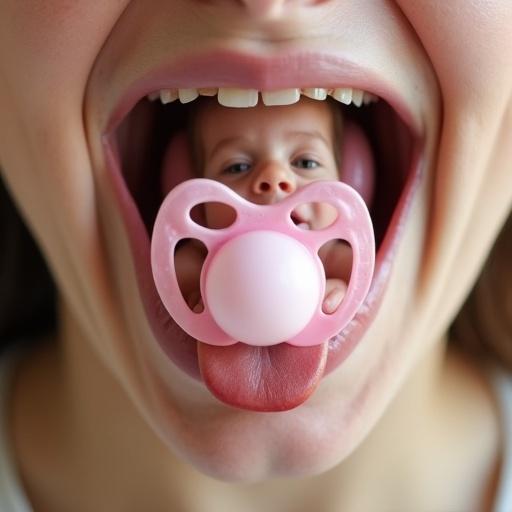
262	287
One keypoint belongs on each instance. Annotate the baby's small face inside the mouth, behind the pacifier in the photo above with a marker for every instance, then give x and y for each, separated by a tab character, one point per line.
265	154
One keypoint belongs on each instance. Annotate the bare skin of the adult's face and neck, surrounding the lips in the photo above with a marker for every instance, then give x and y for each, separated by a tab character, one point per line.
100	420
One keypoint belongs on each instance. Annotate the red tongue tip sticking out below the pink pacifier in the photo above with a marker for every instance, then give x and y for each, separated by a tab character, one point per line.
275	378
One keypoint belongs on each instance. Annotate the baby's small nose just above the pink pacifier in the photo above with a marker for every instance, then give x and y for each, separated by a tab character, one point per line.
273	181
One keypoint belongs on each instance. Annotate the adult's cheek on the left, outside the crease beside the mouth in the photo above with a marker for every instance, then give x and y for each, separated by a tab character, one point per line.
47	50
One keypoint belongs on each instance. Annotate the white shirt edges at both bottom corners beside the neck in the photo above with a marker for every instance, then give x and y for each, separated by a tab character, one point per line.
13	498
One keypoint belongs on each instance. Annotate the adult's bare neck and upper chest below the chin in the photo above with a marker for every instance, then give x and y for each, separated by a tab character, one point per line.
79	440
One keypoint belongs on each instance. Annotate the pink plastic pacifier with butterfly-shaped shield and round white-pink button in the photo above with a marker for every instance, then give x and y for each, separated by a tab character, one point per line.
262	282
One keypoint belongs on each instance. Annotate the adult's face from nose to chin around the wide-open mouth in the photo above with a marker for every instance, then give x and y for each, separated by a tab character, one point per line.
64	67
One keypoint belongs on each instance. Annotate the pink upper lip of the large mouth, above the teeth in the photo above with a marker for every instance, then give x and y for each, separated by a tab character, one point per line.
224	68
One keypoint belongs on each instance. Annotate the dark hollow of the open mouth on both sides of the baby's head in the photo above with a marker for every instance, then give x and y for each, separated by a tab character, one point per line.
142	137
